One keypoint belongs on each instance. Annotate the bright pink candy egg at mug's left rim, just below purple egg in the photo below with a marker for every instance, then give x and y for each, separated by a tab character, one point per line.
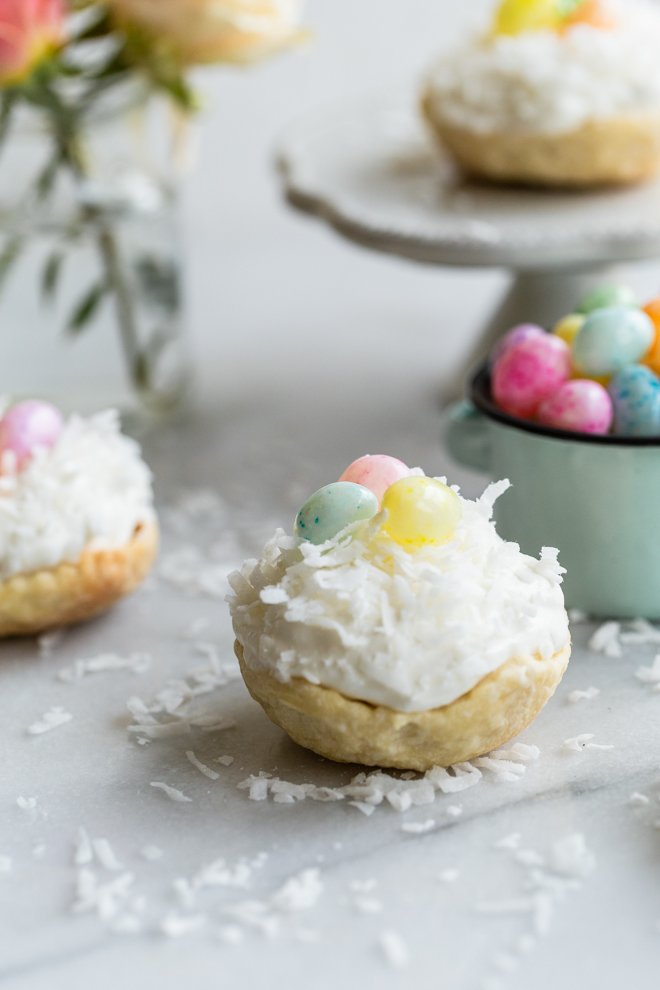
530	372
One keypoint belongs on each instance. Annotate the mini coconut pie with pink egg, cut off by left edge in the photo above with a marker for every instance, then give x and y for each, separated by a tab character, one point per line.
77	526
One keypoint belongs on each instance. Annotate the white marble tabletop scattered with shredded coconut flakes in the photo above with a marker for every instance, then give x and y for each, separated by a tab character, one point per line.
592	930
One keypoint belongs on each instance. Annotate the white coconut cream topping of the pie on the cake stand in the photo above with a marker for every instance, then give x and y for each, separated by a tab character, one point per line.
551	83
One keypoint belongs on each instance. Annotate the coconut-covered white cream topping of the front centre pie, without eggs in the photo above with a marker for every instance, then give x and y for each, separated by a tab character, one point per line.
412	631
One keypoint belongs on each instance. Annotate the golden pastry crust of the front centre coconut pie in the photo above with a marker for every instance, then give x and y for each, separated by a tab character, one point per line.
493	712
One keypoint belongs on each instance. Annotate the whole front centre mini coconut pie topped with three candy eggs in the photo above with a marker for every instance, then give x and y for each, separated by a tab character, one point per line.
395	628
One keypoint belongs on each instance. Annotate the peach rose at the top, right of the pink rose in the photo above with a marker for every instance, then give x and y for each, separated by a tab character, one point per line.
200	31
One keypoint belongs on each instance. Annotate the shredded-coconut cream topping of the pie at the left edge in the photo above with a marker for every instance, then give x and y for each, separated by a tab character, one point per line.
91	488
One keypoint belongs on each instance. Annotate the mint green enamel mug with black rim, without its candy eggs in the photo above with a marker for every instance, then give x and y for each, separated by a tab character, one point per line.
595	498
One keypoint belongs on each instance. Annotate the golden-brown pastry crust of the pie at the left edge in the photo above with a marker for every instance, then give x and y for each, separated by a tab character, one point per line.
72	592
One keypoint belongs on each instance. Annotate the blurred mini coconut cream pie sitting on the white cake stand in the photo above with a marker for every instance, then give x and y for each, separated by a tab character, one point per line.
557	92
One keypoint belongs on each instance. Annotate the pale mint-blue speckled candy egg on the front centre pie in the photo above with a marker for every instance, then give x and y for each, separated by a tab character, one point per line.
333	508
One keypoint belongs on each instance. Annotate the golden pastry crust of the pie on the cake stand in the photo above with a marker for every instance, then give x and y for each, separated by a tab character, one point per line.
613	151
